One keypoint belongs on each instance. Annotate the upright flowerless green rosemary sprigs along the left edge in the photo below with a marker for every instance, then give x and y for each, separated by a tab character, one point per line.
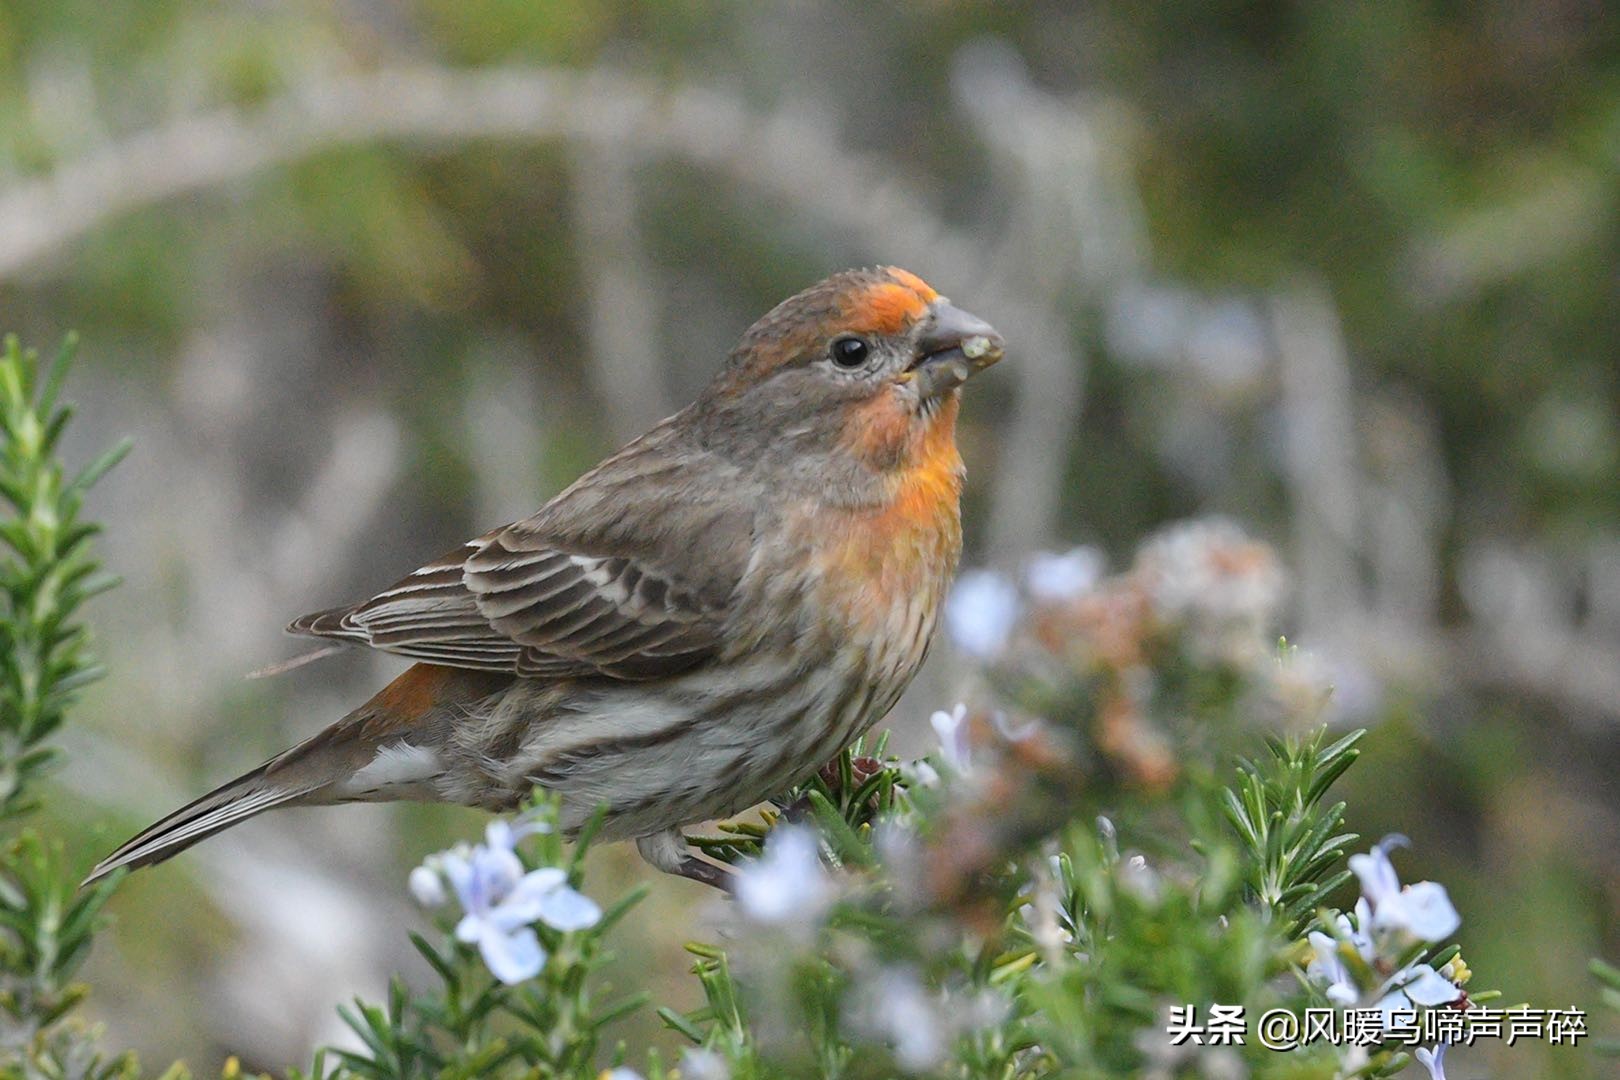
46	574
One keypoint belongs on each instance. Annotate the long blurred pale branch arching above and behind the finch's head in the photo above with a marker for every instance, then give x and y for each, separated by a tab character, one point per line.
795	153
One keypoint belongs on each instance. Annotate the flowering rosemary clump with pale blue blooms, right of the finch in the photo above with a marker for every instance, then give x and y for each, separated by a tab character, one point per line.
950	880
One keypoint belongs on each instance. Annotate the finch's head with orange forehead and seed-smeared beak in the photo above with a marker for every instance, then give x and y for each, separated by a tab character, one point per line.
853	380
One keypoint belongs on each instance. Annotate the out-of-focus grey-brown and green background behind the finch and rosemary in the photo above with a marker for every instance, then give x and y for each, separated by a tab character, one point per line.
369	278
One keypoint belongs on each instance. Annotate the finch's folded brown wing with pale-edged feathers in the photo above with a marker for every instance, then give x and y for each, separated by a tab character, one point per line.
626	574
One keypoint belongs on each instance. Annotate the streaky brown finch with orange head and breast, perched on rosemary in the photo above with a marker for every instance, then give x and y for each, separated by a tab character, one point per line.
693	627
